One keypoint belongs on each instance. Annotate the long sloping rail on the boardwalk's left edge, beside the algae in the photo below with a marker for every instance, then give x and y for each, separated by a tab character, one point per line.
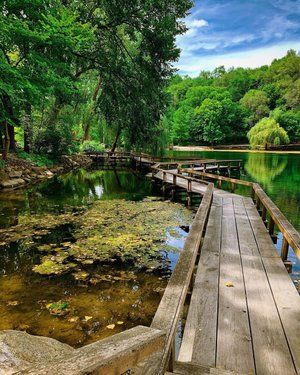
170	308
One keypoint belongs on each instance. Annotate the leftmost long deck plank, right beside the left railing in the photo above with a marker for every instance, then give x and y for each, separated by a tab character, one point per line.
200	333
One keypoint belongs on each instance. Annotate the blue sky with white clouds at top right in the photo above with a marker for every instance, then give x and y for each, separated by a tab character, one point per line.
246	33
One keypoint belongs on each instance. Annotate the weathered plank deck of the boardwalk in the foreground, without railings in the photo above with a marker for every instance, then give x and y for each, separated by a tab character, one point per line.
244	311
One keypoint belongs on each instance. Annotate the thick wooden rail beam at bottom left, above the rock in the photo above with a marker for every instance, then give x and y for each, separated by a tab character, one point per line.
113	355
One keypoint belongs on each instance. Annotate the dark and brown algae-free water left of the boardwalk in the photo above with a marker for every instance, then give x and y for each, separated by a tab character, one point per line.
119	295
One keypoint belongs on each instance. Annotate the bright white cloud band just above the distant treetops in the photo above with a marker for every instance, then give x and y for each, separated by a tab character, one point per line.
192	65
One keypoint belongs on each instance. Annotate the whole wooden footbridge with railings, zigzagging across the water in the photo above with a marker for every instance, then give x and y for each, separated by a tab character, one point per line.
230	306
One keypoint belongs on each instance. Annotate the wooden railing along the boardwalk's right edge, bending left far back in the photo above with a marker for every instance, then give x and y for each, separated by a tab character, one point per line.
266	207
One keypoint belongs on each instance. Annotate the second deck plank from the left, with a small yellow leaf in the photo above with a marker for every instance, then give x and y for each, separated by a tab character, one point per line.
234	350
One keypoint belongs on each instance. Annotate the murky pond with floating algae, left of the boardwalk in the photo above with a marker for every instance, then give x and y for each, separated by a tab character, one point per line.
86	255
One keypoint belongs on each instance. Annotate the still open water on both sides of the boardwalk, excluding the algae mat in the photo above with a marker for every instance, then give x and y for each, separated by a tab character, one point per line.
125	296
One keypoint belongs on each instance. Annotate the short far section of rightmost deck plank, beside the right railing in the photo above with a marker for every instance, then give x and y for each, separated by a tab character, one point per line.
265	244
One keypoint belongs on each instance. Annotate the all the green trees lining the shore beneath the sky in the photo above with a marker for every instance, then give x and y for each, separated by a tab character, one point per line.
79	77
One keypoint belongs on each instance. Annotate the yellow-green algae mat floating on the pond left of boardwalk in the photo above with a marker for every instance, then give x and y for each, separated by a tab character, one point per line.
108	231
